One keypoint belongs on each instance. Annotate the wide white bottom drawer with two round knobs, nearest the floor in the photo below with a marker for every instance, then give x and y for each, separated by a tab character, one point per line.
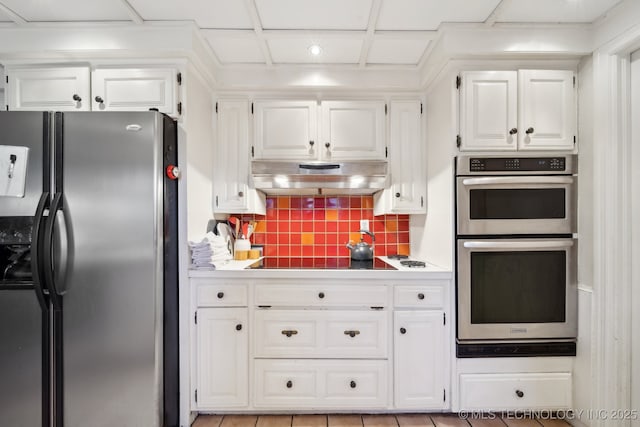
335	384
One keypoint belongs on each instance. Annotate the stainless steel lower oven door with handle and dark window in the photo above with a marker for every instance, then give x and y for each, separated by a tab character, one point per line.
516	289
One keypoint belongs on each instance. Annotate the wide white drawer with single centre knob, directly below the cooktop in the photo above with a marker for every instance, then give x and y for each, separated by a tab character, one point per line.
321	295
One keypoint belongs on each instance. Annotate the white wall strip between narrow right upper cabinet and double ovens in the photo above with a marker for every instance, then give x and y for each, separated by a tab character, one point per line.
432	234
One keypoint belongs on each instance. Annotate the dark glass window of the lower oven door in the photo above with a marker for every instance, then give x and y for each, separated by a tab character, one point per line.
518	287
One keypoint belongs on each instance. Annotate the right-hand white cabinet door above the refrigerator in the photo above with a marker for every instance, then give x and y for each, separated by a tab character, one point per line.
116	89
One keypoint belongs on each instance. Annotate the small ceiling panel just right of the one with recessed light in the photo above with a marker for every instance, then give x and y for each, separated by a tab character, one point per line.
397	51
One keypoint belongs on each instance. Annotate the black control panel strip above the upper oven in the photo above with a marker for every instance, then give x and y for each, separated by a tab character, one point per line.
521	164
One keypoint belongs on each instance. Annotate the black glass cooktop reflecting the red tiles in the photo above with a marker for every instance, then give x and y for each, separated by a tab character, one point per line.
295	263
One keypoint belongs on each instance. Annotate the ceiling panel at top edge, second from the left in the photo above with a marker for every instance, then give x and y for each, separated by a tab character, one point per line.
222	14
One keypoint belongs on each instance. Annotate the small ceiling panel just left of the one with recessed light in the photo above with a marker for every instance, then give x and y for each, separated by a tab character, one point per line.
236	48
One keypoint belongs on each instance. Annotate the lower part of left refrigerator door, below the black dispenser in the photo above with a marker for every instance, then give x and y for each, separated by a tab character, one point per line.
20	359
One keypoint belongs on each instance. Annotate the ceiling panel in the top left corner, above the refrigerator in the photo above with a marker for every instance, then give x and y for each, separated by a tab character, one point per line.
68	10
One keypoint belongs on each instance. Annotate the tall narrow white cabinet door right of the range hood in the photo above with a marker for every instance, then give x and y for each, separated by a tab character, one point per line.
408	182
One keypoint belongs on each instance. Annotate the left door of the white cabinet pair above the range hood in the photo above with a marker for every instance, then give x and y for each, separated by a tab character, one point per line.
285	130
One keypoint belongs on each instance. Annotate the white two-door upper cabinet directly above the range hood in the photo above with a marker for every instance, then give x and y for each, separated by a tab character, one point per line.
350	130
